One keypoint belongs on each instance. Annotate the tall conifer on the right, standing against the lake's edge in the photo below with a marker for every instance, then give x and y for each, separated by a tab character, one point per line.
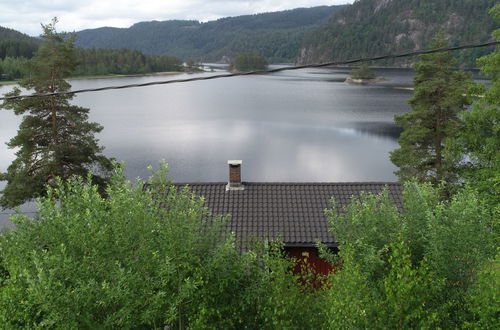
440	94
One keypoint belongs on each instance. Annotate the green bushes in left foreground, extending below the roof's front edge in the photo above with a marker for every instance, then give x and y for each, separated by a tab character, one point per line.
144	257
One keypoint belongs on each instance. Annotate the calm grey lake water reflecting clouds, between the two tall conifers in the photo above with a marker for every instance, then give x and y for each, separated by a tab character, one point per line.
305	125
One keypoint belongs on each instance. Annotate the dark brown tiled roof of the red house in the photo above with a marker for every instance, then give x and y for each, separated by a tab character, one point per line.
293	212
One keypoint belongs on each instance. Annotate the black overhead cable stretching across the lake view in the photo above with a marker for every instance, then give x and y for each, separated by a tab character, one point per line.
235	74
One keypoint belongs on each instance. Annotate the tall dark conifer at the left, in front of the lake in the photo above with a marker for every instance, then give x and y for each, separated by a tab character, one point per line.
54	138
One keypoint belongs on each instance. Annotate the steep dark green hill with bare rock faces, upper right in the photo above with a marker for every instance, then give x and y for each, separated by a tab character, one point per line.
377	27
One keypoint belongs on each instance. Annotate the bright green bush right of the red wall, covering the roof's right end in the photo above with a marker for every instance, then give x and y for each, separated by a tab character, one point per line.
412	268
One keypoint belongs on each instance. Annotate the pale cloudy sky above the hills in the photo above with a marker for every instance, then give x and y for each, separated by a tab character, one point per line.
75	15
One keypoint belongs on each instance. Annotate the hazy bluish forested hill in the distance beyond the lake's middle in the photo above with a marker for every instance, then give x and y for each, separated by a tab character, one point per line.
277	36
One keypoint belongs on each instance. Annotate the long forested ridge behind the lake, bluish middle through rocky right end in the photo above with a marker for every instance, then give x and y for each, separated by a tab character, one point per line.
319	34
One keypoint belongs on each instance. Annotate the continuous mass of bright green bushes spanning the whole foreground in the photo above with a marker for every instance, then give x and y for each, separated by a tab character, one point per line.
154	257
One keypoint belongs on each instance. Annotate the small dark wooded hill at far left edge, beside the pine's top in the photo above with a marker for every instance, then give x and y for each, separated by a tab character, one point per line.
16	44
